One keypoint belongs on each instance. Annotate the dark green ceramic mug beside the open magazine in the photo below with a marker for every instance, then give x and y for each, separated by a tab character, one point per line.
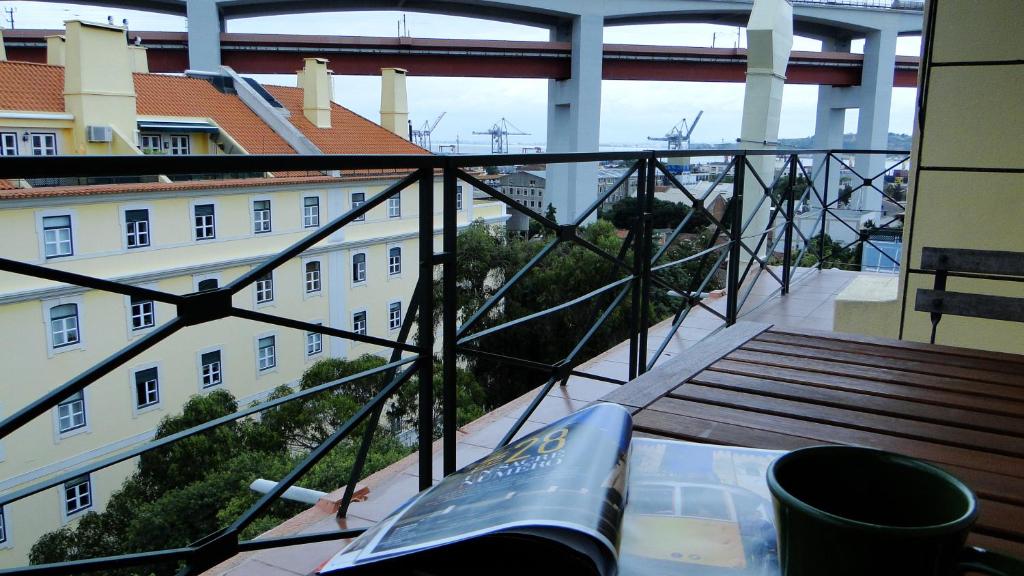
847	511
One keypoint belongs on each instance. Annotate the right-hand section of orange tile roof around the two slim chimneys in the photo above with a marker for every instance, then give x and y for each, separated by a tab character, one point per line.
350	133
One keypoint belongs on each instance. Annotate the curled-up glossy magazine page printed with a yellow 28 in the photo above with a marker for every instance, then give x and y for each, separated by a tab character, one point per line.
567	479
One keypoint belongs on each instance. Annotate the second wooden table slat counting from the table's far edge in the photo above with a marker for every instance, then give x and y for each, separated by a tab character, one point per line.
1000	392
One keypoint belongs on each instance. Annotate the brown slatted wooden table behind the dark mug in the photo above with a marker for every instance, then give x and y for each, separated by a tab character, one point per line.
760	387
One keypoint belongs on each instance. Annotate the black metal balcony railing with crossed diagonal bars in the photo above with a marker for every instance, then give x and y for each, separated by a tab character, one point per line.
731	249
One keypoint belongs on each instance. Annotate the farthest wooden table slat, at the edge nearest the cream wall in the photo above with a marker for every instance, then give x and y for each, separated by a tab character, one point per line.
878	350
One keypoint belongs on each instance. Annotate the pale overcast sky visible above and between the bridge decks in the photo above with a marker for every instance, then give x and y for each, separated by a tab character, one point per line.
631	111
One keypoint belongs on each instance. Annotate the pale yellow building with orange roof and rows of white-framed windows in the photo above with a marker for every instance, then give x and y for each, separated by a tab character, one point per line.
178	236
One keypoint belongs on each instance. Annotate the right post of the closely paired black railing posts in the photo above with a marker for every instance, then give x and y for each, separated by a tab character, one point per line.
450	308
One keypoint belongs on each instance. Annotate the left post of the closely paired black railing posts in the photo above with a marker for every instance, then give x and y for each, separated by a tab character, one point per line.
425	327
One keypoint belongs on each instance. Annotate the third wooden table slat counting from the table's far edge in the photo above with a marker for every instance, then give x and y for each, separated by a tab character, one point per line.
863	402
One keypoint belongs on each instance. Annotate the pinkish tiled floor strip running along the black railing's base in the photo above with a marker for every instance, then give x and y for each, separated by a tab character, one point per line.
808	306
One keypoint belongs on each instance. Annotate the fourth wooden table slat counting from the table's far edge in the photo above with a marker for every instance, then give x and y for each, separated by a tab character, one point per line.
854	420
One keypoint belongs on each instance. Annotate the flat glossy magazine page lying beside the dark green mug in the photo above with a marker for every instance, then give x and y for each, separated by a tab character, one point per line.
698	510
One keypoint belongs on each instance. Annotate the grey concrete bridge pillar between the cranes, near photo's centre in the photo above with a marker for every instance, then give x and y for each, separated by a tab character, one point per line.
575	117
